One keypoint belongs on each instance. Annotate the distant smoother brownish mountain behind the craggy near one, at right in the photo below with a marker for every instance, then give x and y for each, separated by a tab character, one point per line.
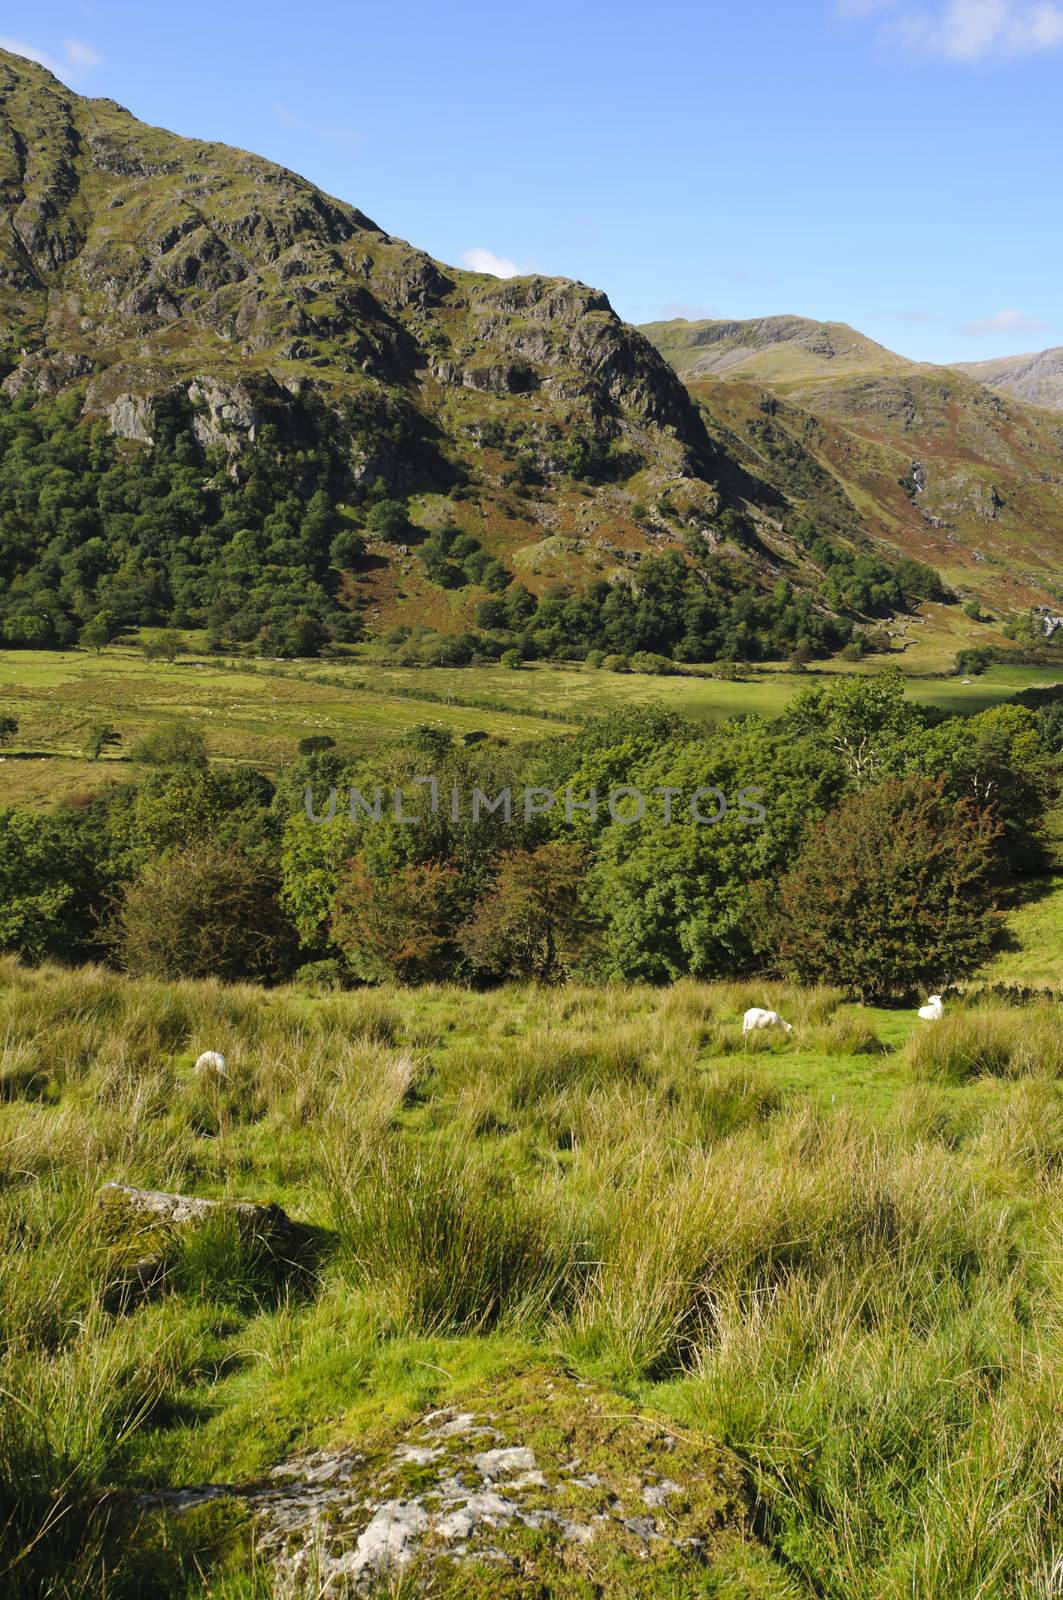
929	460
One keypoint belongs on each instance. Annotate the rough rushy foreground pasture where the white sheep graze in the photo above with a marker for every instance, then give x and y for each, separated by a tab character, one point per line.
835	1258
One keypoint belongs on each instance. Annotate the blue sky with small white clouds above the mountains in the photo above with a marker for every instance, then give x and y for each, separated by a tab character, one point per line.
893	164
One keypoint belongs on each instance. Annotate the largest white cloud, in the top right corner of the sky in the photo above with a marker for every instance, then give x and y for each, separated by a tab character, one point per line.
971	30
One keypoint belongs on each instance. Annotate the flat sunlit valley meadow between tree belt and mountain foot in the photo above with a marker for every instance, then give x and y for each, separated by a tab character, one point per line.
257	713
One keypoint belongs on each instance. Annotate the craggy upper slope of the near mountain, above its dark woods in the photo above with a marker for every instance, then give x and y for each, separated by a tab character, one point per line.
153	265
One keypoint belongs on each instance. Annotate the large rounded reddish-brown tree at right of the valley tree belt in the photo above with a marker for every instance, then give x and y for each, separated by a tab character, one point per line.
893	894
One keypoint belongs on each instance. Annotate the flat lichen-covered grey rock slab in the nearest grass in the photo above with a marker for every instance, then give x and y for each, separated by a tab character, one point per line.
545	1487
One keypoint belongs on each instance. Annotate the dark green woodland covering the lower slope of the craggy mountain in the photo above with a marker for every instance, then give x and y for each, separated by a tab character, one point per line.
98	535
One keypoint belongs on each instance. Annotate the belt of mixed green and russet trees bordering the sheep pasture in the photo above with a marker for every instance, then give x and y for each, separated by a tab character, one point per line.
860	839
